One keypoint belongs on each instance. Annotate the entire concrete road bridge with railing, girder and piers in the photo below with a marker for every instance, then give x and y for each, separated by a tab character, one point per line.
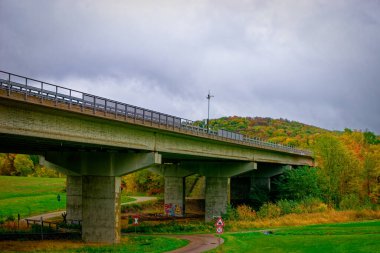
94	141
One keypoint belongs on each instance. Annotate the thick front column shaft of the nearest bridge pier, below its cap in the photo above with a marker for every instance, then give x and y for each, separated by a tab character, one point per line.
101	209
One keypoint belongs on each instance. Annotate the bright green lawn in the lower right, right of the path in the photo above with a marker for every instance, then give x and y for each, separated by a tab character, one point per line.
348	237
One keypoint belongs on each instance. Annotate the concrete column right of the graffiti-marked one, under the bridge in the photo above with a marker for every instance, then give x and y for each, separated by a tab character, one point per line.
217	196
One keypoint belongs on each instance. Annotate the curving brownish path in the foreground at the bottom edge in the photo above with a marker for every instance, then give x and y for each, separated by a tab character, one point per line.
198	243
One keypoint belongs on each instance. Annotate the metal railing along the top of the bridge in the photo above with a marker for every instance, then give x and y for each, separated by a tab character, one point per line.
47	91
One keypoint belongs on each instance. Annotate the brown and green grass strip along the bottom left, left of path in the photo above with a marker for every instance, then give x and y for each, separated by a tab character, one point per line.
128	244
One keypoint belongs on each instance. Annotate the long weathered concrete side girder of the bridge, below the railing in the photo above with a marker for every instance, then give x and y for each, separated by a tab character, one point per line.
58	126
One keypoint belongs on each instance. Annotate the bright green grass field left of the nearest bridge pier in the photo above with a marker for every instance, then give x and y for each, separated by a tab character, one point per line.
30	195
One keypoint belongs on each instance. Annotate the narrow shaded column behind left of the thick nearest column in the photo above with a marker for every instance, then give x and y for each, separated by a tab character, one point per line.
74	197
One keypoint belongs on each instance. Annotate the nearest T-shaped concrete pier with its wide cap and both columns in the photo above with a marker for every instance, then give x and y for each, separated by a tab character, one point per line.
93	188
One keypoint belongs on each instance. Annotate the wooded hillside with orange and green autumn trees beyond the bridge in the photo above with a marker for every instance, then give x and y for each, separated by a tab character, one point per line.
348	162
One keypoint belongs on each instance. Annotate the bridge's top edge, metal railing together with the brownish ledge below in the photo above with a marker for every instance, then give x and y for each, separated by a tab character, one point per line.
19	88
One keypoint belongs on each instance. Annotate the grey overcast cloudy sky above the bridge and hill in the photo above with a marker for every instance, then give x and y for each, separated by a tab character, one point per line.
317	62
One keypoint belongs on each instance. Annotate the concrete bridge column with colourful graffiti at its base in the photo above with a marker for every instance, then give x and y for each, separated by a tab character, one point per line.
175	194
